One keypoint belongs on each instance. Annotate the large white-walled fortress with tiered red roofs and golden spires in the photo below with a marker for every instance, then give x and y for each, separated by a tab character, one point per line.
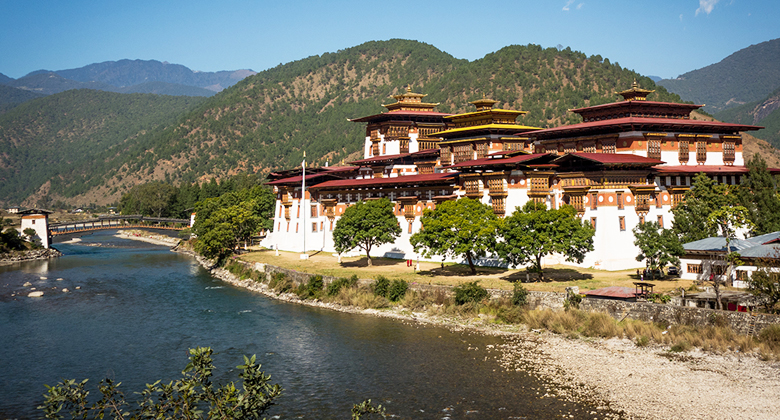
628	162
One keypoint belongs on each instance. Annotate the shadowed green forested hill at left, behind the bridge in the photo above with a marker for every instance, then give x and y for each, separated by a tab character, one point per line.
73	141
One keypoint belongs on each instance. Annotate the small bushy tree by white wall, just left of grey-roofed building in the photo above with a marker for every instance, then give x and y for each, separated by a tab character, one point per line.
658	246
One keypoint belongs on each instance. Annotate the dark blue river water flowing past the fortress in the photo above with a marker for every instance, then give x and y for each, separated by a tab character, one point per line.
133	309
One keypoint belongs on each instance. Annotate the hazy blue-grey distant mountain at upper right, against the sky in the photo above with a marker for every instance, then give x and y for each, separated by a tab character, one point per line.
748	75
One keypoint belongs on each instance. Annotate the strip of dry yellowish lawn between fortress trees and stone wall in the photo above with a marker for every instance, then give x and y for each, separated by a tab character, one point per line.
559	277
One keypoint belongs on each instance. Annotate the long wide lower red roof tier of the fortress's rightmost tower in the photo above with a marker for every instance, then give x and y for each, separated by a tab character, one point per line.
629	121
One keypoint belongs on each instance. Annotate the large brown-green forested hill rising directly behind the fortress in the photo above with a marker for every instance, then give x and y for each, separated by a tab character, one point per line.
266	121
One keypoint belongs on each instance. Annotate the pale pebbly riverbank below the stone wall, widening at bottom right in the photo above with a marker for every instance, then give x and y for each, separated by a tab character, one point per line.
643	382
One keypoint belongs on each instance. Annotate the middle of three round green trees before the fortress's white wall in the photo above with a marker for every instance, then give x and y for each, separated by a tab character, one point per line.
463	227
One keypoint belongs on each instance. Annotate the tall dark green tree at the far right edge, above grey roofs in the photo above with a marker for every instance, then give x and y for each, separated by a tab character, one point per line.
758	193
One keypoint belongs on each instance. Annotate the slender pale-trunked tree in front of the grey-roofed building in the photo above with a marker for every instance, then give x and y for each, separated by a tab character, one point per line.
728	220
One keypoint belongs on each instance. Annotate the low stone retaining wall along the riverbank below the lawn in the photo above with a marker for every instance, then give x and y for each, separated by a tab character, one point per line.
644	311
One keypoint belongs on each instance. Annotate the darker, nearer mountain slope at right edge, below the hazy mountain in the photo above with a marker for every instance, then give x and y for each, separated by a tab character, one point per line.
765	112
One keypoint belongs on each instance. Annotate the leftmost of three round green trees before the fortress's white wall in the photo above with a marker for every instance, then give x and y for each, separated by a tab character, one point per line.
366	224
